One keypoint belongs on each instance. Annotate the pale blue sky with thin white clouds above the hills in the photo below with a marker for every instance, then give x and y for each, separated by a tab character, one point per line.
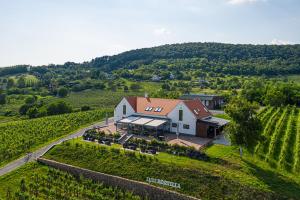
41	32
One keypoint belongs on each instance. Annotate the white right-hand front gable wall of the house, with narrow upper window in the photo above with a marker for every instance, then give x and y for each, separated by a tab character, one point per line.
188	118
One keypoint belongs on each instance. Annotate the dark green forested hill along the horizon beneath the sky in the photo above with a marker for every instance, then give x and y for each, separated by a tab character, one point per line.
239	59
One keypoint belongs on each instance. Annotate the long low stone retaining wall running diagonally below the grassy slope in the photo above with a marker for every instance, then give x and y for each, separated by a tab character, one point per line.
138	188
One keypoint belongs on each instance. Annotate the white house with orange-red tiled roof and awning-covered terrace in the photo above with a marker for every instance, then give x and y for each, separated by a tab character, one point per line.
145	115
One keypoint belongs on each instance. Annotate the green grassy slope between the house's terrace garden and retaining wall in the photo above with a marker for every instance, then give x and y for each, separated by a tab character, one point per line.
224	176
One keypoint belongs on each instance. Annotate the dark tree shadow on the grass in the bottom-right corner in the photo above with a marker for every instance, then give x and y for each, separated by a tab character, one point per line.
276	182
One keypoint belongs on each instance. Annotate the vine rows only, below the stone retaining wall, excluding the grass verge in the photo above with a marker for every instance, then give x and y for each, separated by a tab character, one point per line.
55	184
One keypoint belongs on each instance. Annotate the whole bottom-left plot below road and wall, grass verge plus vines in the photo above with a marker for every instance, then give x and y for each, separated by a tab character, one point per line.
36	181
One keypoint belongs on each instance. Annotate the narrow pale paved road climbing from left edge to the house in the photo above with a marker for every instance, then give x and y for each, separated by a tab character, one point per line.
40	152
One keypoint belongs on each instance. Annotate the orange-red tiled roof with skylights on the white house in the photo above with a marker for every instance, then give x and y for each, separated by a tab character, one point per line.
139	104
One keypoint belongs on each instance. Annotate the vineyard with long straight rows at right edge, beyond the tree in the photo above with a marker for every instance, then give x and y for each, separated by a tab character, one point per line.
281	144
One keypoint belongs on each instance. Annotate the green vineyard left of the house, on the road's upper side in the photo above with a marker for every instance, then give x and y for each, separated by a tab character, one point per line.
20	137
